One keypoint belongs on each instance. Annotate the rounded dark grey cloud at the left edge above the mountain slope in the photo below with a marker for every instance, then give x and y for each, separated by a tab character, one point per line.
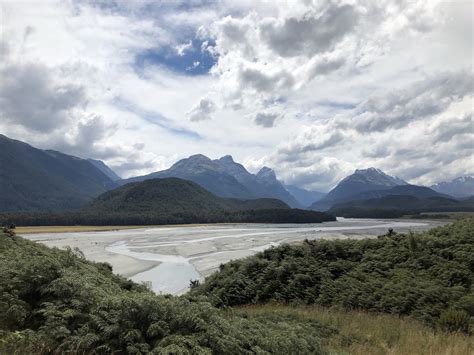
30	97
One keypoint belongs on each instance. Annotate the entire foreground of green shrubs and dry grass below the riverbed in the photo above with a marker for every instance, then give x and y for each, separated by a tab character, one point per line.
54	301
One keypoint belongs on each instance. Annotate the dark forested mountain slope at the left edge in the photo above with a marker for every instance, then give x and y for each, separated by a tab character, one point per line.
45	180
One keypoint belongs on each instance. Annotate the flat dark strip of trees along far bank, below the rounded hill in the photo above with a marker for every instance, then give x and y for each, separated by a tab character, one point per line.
144	218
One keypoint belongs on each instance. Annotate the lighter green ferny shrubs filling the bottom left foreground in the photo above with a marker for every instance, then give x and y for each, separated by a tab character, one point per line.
54	301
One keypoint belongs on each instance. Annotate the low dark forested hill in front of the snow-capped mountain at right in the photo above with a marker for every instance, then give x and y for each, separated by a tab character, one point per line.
394	206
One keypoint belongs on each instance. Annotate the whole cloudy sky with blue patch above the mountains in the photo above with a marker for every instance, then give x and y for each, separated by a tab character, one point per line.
313	89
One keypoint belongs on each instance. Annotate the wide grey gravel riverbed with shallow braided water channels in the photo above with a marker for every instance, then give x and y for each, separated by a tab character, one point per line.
169	257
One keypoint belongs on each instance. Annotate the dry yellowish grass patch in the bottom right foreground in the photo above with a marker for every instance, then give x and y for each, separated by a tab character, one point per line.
361	333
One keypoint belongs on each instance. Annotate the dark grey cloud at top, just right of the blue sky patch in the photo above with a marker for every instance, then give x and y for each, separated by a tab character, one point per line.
311	34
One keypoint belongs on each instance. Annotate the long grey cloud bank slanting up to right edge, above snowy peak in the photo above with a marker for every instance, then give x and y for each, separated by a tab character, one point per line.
425	98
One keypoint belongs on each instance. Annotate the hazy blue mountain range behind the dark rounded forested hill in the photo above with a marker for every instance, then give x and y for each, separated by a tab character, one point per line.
33	179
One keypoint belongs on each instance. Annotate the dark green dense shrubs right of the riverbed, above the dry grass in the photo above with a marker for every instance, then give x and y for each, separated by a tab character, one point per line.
425	275
